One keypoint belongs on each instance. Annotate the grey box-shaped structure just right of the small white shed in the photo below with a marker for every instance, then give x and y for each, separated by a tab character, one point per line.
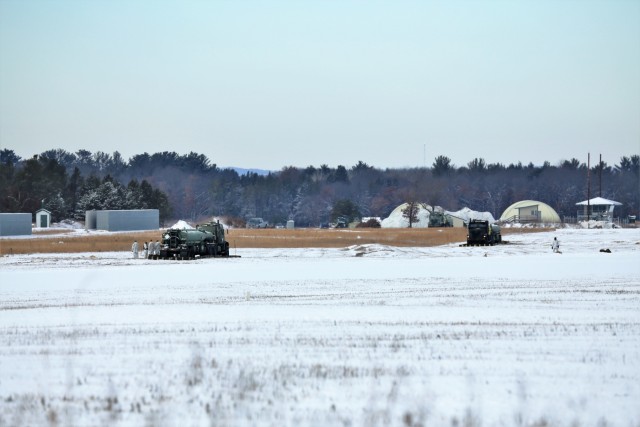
125	220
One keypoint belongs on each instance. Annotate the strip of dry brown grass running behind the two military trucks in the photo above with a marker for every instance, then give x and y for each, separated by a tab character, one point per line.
247	238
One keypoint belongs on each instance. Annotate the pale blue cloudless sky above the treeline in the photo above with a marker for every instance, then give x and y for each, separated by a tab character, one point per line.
272	83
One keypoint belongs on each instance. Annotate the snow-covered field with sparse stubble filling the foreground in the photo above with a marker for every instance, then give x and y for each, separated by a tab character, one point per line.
446	336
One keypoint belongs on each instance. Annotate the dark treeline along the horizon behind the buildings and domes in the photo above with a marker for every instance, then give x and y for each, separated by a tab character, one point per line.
191	187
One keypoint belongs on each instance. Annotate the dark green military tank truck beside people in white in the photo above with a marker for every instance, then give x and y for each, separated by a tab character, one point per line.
206	240
